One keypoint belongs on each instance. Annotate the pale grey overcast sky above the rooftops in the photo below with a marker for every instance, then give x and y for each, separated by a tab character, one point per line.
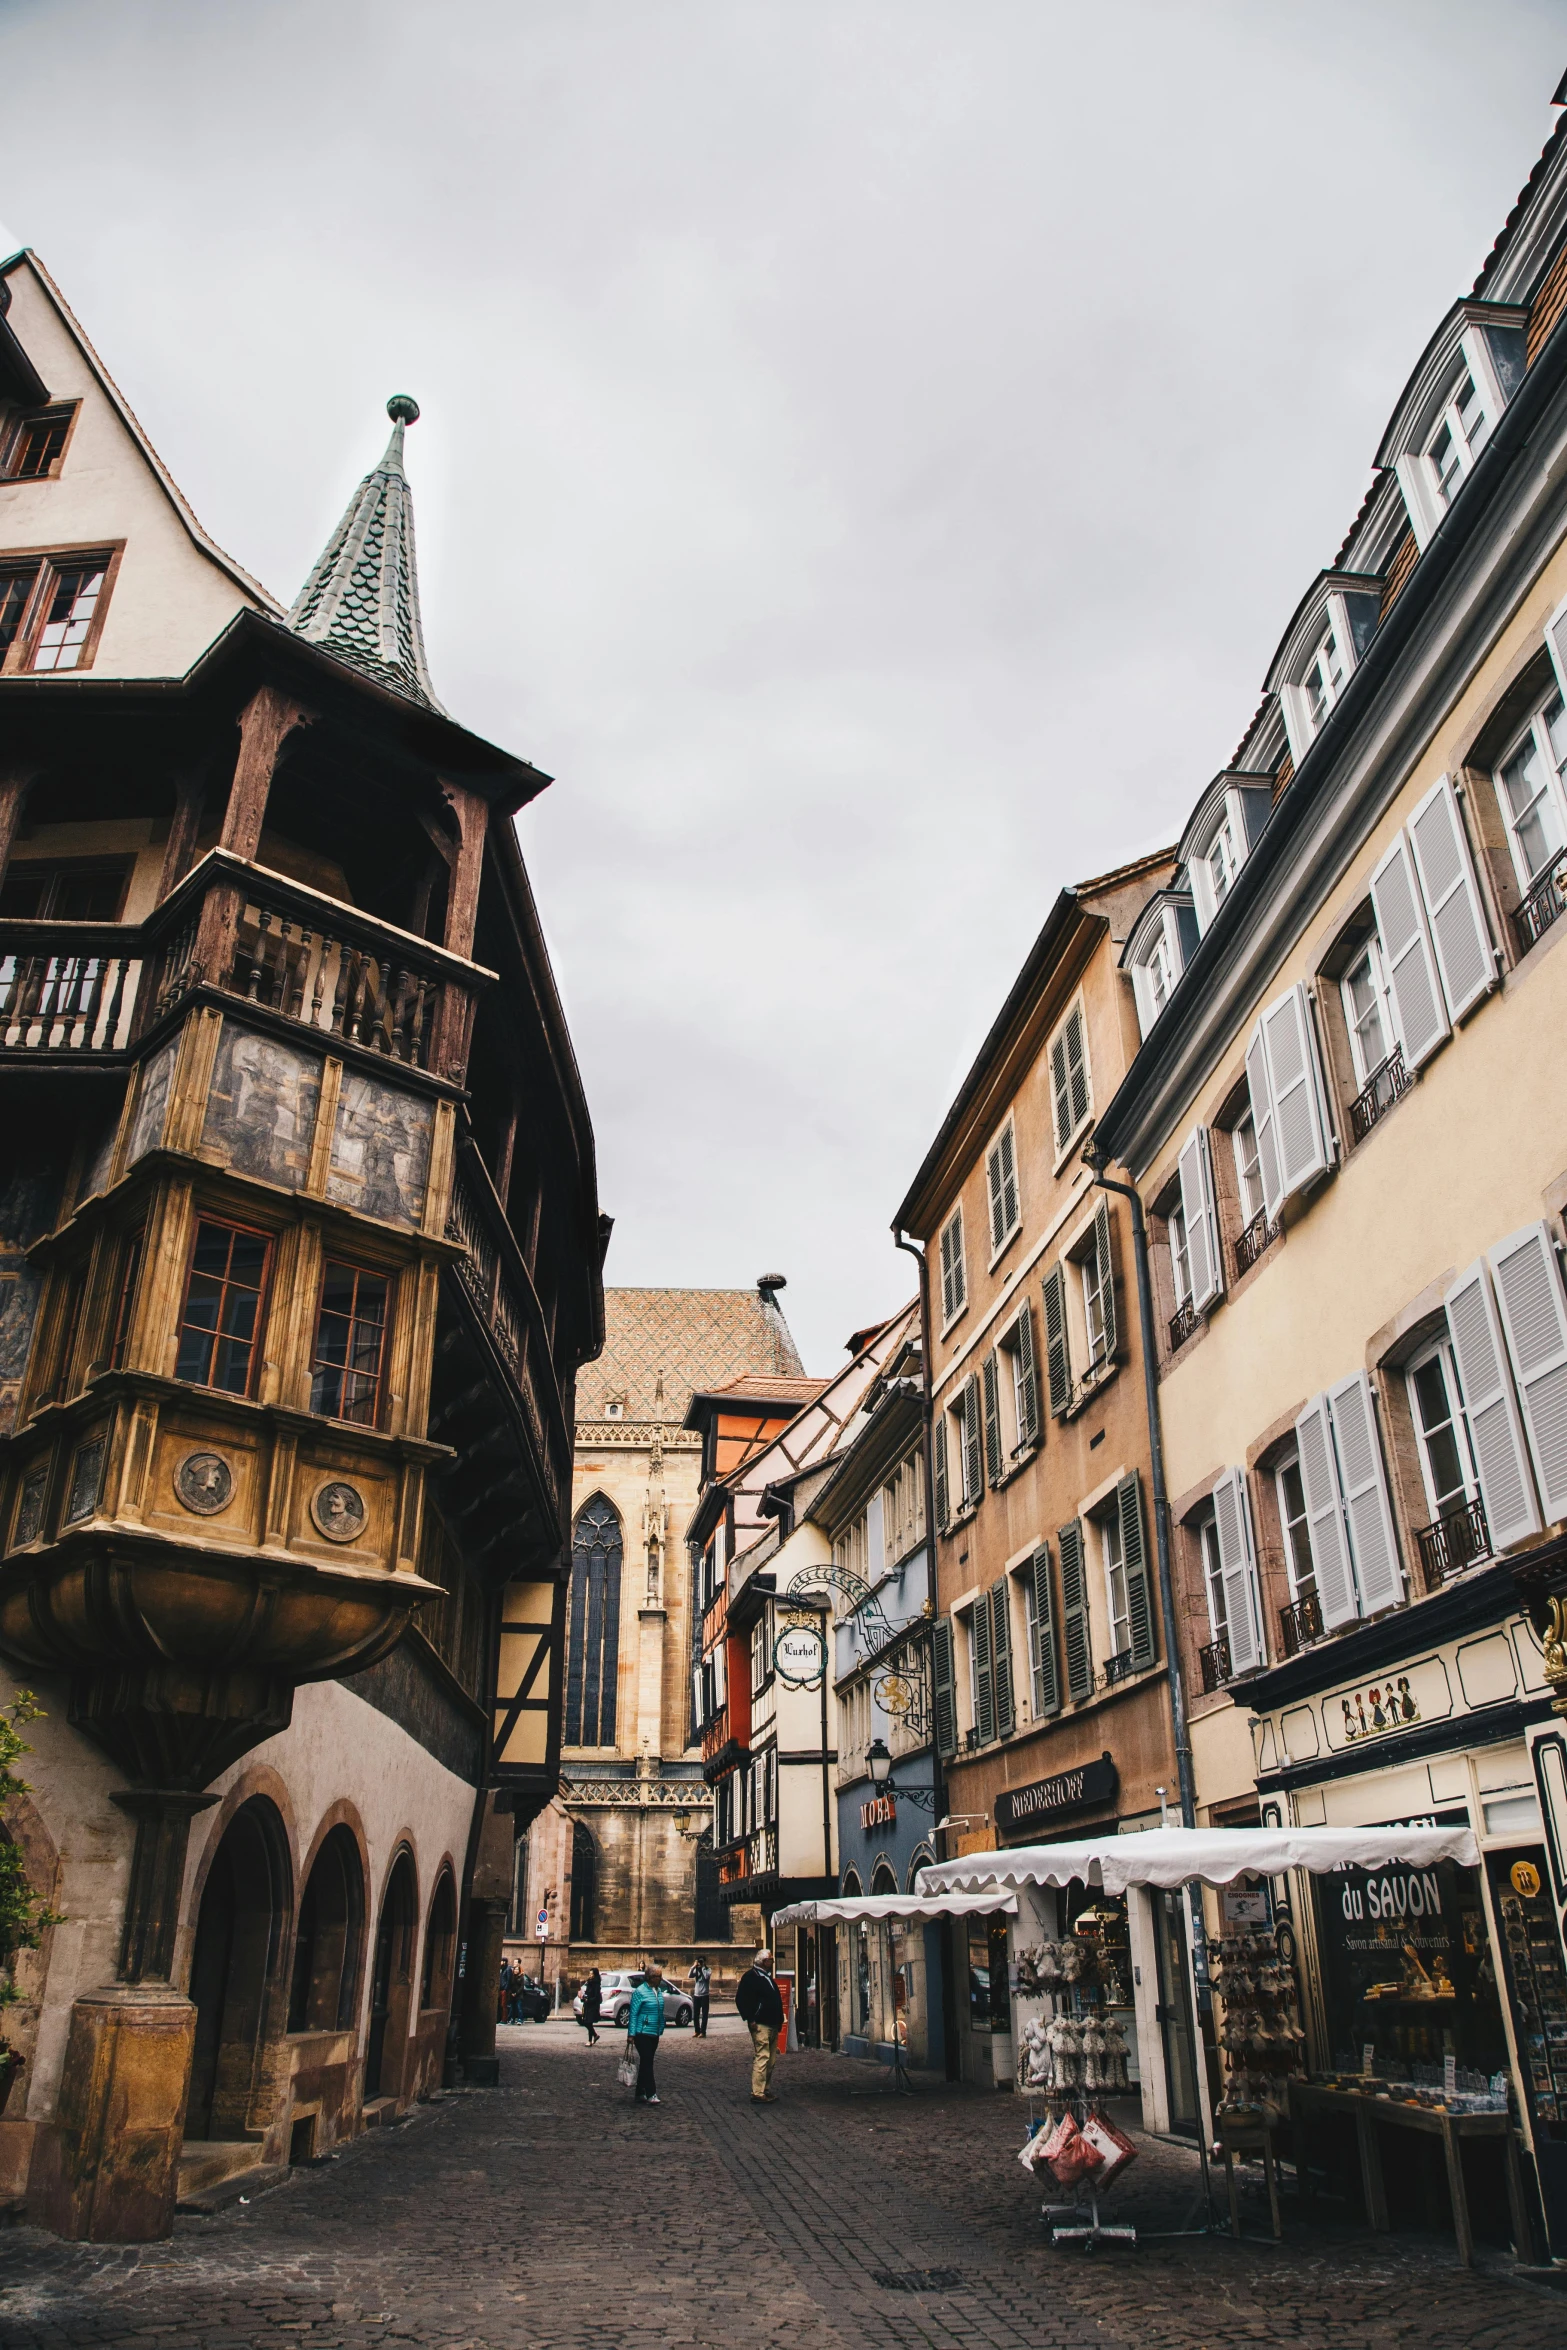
870	457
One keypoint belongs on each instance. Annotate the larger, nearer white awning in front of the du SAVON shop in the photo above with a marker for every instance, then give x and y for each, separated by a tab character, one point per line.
1173	1858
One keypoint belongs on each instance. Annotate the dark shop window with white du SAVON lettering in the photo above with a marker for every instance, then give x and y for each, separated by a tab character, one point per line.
1408	1975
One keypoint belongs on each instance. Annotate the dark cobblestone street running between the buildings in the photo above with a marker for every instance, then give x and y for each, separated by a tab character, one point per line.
553	2215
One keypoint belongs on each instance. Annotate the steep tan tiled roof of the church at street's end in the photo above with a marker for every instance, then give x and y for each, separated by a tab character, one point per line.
690	1341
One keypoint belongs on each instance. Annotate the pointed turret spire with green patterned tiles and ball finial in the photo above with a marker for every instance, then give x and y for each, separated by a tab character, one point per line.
363	598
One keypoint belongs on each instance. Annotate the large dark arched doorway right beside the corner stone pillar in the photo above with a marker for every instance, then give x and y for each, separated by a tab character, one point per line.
236	1973
